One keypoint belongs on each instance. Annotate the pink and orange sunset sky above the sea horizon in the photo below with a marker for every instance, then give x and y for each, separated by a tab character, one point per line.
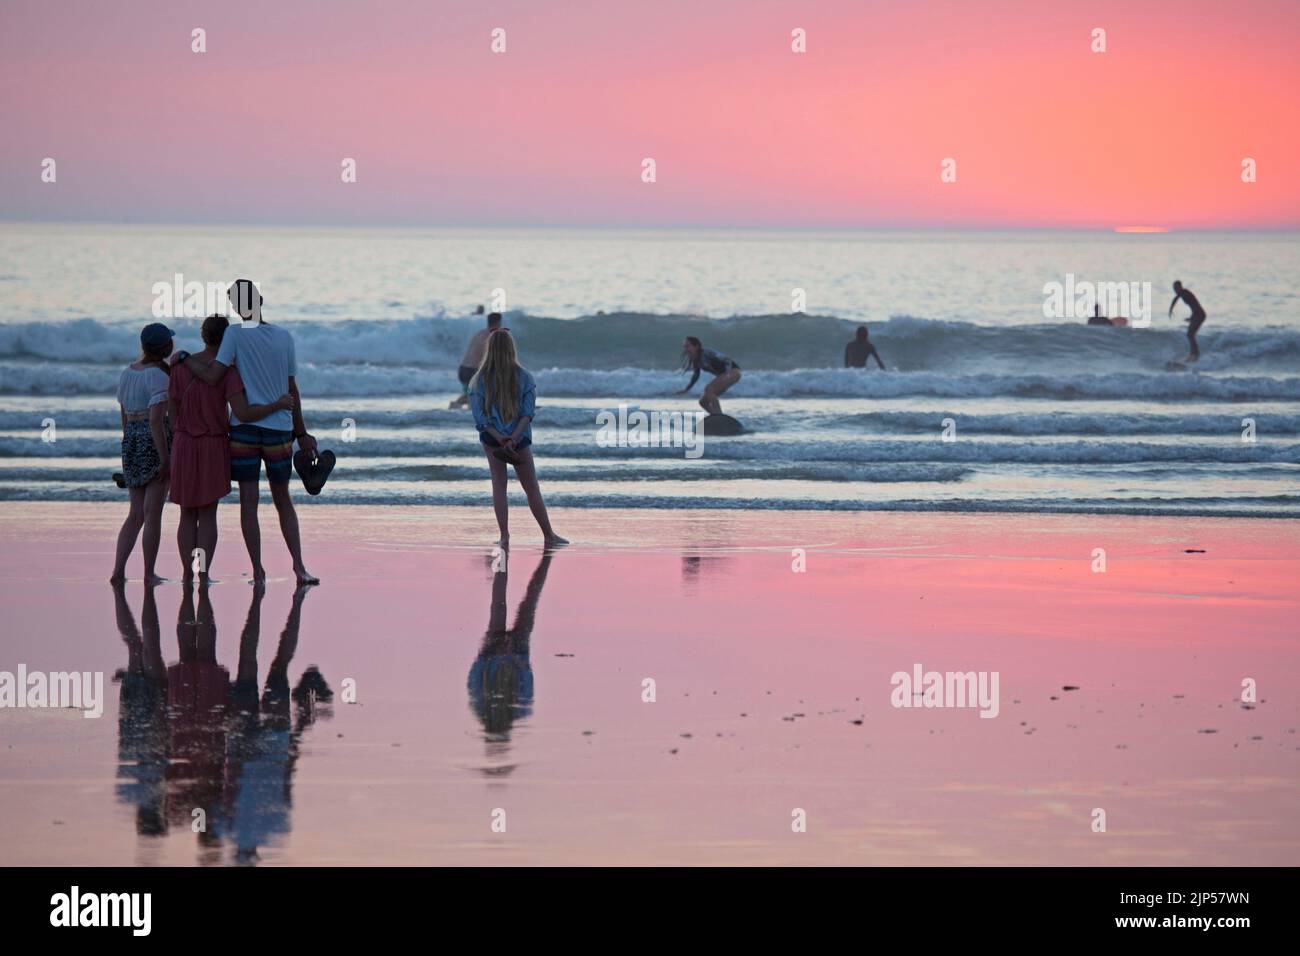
744	132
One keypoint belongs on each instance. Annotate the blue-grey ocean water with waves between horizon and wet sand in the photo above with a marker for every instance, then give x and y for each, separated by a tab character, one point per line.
986	404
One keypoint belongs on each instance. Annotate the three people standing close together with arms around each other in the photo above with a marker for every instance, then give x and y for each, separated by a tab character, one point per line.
179	435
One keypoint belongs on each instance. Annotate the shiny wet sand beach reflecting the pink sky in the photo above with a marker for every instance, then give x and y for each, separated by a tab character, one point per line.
518	697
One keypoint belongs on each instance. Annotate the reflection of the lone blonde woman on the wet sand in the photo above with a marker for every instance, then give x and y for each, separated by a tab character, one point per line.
501	678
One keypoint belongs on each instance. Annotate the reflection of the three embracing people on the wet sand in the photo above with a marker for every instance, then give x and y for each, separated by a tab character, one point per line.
201	751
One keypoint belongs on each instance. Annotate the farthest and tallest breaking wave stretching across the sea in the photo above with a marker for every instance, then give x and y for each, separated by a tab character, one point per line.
764	343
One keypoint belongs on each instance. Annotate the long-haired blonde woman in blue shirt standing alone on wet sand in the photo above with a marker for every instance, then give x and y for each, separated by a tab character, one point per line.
504	400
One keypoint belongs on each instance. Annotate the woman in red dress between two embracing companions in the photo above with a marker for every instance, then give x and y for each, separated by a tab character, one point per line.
201	448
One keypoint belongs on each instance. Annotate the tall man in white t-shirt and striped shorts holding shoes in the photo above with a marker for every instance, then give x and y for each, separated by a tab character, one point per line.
268	366
